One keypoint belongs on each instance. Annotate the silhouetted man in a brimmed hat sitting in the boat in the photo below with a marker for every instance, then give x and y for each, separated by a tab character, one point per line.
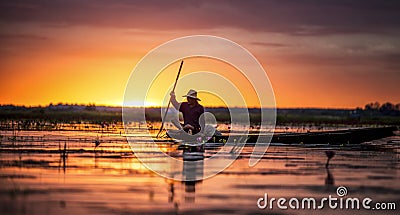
191	111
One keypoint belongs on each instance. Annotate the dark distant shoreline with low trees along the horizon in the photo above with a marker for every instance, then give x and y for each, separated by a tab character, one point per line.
373	113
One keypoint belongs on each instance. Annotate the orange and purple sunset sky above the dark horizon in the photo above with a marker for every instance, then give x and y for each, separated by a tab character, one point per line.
329	54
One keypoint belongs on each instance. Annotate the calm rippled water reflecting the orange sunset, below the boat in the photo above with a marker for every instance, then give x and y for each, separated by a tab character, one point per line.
35	178
